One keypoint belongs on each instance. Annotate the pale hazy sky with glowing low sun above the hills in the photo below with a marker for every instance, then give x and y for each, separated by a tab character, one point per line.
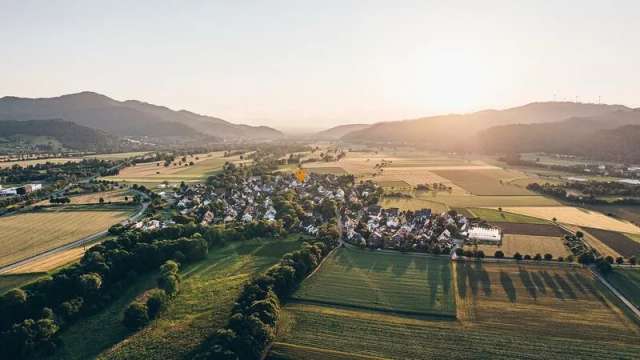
295	64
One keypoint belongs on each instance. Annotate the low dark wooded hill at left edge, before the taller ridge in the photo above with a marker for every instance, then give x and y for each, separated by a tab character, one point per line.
69	134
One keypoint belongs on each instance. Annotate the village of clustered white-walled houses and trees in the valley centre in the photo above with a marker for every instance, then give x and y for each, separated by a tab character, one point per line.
304	206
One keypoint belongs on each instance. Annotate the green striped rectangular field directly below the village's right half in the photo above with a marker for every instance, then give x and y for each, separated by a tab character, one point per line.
385	281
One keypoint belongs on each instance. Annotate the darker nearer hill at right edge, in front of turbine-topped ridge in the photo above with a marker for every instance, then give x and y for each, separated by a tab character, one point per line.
614	136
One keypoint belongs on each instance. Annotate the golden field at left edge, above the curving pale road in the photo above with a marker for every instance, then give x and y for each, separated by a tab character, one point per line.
25	235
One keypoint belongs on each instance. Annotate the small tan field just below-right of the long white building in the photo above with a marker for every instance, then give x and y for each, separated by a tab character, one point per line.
527	245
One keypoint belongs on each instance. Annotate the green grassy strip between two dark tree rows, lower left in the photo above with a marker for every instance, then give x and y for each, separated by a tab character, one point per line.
207	292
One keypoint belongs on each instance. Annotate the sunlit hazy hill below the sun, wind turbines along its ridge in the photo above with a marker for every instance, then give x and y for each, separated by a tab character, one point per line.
459	131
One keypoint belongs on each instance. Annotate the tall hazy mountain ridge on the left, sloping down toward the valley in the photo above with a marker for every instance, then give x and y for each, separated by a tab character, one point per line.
127	118
